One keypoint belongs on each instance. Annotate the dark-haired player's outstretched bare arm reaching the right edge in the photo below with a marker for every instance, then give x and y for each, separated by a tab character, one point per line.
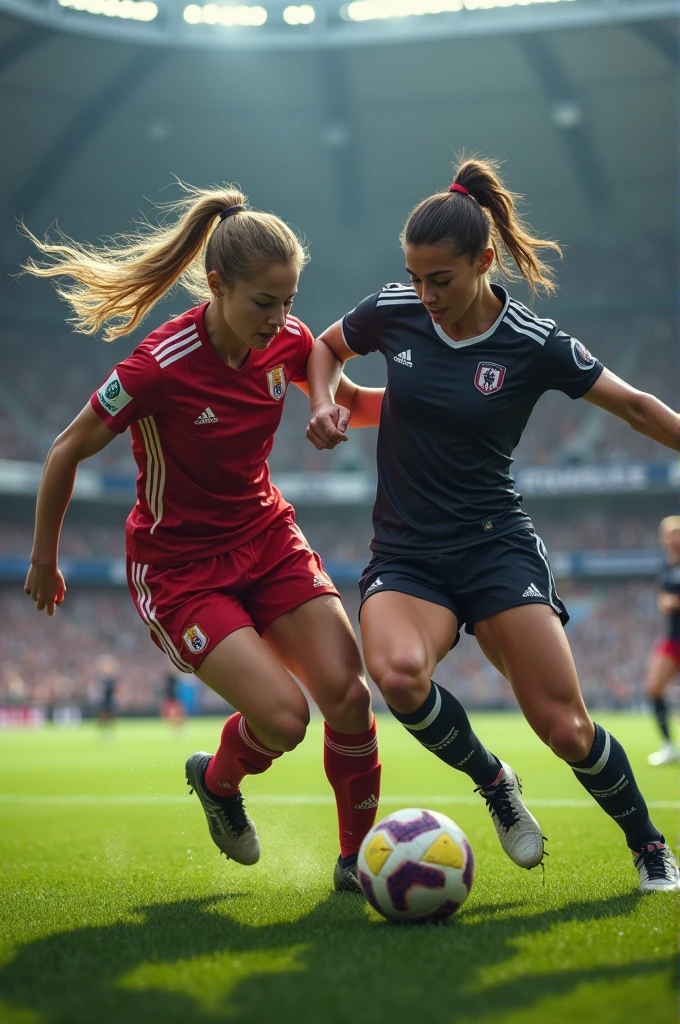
643	412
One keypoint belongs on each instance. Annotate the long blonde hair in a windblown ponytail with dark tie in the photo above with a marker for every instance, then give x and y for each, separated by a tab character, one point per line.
116	285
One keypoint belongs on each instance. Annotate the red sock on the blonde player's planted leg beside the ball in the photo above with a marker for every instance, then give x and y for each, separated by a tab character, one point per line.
354	772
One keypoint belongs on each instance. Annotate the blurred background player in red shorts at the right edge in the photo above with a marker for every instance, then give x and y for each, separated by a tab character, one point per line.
665	660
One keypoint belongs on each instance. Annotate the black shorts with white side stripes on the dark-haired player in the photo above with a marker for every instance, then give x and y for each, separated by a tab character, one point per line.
475	584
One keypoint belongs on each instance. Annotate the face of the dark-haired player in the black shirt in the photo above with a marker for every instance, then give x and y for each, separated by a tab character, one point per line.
447	285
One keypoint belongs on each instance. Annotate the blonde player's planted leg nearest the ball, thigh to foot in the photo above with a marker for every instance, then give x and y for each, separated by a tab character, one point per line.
316	643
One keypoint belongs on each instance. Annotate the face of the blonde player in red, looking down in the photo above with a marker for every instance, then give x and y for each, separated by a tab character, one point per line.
256	310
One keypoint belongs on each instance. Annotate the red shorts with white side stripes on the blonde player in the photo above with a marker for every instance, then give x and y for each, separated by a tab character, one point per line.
190	609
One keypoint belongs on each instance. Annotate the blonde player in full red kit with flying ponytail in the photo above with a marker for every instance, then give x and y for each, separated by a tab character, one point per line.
218	568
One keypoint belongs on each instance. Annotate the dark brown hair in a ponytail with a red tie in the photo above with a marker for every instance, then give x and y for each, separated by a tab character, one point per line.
487	215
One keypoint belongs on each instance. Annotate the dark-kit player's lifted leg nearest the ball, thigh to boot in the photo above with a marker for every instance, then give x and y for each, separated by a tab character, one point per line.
405	637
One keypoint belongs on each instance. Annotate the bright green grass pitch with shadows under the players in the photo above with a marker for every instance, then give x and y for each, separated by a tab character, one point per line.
116	908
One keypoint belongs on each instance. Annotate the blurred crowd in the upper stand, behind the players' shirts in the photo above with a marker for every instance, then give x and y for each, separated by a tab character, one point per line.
51	389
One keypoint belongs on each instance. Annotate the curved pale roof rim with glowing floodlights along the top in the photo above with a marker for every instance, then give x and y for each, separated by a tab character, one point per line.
282	24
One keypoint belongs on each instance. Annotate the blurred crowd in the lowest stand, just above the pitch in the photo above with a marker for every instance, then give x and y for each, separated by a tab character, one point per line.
58	661
